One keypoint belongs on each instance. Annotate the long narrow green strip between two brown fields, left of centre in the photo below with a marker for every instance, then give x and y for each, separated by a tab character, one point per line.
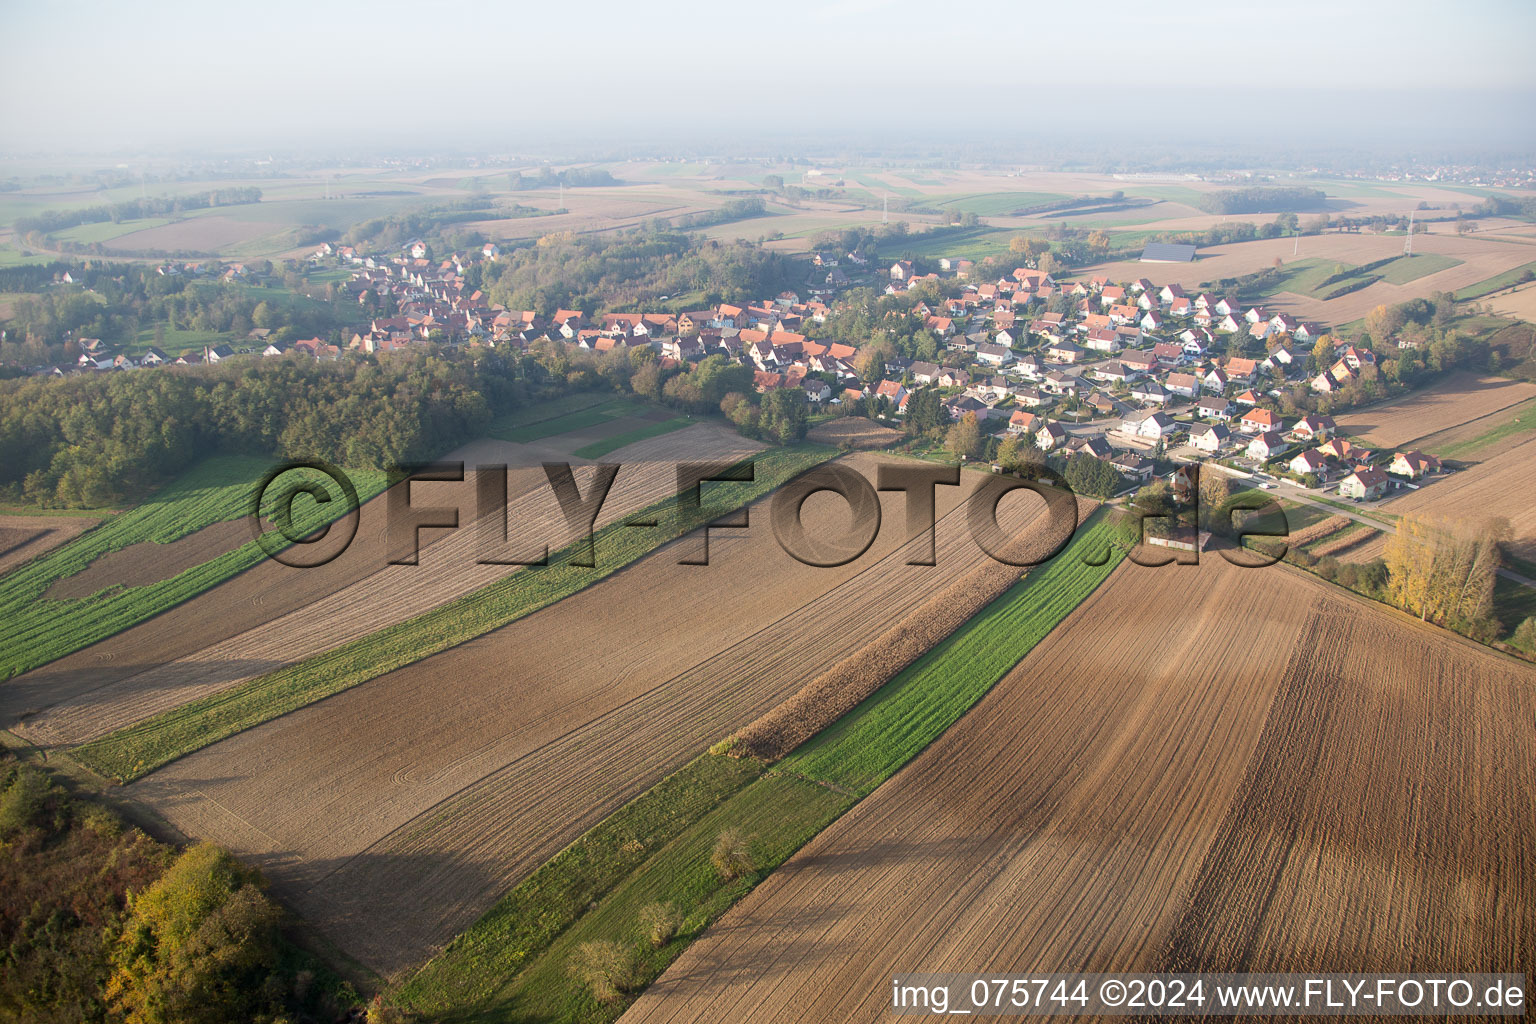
142	748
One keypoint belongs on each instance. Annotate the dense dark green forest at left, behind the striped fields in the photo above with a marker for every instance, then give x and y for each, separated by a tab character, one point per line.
99	440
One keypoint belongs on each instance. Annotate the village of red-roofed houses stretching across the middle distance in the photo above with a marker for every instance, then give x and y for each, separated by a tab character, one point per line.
1137	375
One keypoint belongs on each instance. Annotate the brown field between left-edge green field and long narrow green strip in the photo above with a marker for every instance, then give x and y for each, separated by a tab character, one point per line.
273	616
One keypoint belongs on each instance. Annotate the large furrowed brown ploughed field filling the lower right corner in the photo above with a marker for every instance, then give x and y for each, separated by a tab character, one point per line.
1167	784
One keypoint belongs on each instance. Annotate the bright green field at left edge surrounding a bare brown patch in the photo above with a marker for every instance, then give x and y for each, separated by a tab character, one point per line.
41	630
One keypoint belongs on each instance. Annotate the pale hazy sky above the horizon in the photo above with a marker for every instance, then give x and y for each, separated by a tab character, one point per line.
475	76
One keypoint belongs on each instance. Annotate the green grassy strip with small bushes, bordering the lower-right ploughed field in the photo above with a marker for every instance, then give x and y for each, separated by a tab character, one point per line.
512	965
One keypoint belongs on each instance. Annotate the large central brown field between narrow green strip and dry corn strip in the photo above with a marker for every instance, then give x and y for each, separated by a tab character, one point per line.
396	813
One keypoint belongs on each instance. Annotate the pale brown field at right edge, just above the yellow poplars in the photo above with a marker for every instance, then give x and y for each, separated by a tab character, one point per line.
1500	486
